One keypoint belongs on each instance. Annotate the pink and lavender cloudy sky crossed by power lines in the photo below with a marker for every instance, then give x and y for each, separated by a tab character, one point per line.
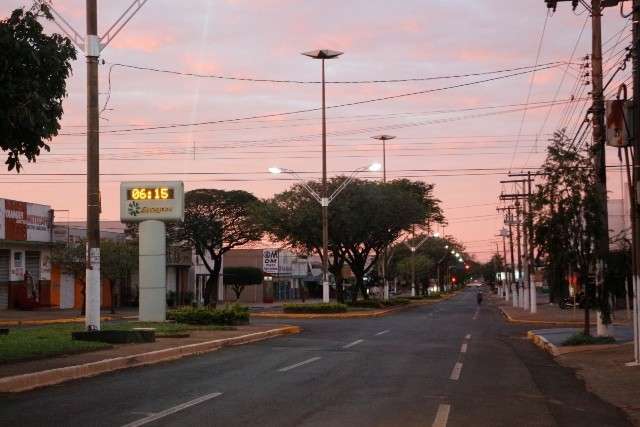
462	139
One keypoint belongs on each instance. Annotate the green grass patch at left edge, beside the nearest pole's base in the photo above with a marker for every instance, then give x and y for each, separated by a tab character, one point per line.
38	343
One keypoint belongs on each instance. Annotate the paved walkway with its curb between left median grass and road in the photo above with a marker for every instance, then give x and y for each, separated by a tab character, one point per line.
22	376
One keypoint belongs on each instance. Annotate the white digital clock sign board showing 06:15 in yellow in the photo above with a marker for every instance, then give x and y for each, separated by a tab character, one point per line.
151	200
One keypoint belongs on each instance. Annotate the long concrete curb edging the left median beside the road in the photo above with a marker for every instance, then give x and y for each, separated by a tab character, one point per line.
24	382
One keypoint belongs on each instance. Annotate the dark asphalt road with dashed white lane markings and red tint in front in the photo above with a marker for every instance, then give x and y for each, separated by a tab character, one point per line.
448	364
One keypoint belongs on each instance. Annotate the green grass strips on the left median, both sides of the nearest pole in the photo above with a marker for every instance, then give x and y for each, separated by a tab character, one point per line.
31	343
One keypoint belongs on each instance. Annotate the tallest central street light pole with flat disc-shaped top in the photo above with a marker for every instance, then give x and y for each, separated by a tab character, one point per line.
323	54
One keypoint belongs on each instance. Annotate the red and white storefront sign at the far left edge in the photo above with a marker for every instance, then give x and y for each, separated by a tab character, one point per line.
22	221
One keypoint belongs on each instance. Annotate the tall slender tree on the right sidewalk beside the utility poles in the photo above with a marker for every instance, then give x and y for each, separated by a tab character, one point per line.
566	218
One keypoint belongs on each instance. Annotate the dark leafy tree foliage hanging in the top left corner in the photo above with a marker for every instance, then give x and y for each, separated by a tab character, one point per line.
33	73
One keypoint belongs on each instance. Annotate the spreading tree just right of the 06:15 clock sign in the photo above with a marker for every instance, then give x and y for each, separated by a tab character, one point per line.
216	221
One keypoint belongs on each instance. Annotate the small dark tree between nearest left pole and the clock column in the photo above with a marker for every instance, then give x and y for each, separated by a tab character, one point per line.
119	259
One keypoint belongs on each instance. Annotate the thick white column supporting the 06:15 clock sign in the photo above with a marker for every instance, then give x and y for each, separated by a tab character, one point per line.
153	271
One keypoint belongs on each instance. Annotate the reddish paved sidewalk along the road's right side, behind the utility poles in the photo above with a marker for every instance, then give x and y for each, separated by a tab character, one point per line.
551	314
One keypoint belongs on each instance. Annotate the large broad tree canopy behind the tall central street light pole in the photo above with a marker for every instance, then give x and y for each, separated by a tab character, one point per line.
363	219
